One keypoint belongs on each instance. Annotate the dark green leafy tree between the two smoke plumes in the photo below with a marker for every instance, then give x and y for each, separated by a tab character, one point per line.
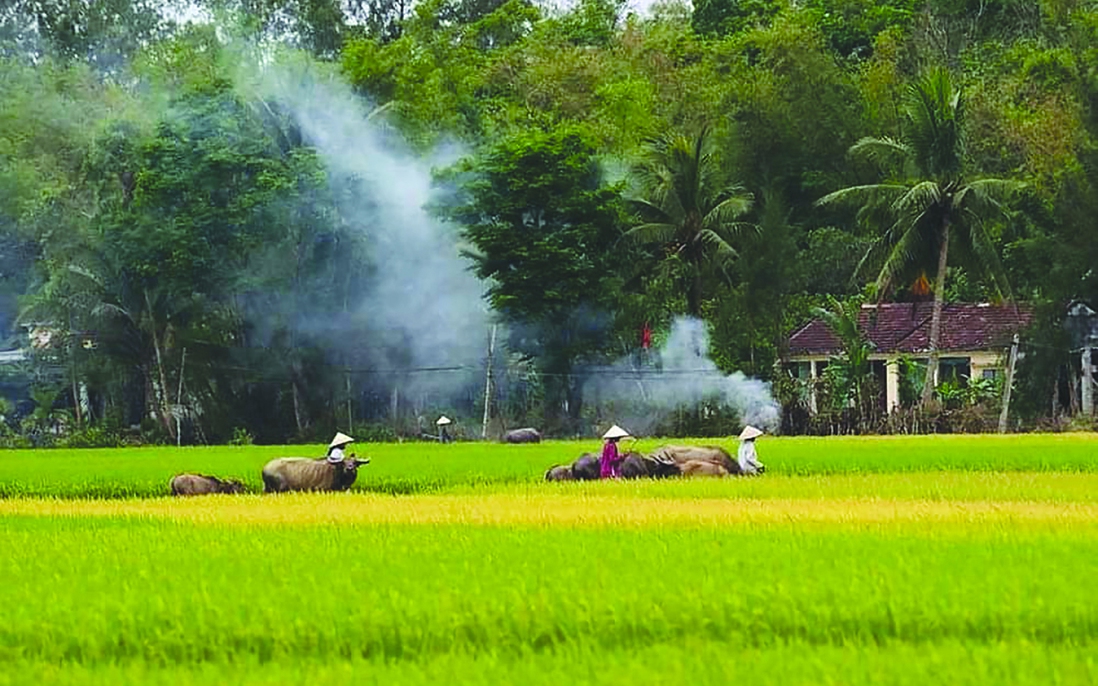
546	232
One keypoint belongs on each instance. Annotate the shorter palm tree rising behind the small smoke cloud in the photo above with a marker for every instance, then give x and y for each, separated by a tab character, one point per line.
689	210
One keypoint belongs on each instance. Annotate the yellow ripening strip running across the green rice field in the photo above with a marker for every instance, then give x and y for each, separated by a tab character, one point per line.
558	510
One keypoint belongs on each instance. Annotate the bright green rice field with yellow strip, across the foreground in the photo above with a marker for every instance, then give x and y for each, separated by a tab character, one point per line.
912	560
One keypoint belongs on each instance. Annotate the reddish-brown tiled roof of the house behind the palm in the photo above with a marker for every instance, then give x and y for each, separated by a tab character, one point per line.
905	328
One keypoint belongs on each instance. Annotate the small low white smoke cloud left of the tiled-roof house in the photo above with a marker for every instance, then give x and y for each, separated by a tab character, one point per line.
644	392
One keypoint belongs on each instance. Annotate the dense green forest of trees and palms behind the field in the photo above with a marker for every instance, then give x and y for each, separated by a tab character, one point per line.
180	246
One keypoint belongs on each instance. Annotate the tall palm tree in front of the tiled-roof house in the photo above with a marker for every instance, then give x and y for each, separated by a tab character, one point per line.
928	204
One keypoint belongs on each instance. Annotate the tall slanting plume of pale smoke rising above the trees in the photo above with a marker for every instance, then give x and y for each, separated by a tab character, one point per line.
424	310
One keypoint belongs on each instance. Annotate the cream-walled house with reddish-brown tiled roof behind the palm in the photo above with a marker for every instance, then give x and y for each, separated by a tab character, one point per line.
974	342
